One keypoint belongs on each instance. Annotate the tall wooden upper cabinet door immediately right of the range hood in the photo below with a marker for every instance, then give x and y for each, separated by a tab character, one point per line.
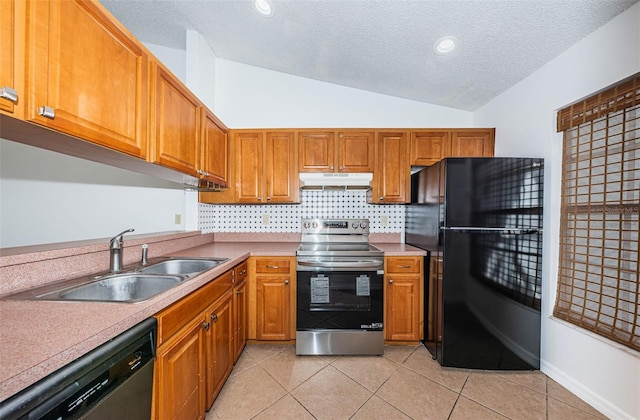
393	173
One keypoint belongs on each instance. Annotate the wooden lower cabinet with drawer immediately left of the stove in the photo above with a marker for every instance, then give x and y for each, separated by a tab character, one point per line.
273	318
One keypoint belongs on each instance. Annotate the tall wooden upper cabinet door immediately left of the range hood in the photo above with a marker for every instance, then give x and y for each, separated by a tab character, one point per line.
281	174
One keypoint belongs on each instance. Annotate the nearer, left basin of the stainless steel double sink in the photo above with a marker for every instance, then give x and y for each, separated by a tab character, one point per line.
122	288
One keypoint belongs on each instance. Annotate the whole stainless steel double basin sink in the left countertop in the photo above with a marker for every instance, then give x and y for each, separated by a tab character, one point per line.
135	284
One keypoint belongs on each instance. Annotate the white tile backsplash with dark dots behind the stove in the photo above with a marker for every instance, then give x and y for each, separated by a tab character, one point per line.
286	217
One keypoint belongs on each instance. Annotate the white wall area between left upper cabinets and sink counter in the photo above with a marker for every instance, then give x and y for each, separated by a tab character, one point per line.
48	197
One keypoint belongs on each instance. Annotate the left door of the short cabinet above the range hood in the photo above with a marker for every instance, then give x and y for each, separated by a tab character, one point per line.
317	151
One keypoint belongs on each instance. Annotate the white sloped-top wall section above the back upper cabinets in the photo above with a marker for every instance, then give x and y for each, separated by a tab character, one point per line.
248	96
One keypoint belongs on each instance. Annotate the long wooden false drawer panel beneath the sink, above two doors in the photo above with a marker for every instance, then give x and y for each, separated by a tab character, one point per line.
174	317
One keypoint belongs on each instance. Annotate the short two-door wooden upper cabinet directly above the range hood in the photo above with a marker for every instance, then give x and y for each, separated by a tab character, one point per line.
344	151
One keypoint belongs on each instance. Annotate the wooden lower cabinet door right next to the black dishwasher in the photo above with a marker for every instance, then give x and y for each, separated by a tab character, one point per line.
180	375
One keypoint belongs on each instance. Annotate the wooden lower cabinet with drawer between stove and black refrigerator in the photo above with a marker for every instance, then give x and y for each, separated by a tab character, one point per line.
403	299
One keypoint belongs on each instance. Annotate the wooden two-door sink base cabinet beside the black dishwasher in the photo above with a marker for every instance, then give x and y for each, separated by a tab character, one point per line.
196	352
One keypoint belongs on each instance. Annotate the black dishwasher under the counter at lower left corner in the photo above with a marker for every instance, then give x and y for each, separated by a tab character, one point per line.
113	381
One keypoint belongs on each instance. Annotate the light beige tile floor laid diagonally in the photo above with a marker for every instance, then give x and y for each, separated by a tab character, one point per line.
271	382
